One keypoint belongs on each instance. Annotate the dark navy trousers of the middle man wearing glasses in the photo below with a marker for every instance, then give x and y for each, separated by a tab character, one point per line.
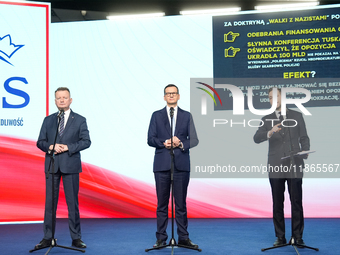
163	184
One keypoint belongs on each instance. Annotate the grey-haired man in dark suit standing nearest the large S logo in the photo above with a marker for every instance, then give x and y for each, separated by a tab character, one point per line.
73	136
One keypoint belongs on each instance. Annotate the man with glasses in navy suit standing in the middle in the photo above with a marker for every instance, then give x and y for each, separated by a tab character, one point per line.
184	138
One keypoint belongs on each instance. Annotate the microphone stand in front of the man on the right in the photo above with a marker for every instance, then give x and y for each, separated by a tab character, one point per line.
292	241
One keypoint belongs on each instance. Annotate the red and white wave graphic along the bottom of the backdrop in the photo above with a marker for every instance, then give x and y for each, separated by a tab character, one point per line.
106	194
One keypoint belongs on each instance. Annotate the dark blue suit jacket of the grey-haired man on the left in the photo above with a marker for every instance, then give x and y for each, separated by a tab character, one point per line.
76	137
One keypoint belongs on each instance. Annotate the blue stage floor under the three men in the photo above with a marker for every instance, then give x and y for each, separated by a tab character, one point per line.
133	236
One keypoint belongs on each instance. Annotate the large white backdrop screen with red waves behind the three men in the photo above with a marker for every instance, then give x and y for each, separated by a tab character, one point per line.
116	72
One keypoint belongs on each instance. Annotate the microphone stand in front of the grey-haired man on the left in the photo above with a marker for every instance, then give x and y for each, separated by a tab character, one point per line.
54	240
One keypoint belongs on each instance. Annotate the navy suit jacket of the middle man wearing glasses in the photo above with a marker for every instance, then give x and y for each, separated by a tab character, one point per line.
159	131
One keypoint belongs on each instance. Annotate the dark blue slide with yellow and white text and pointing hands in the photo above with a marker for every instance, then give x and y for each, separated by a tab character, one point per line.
294	48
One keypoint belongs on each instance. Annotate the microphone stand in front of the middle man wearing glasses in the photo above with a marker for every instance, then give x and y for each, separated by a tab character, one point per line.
172	242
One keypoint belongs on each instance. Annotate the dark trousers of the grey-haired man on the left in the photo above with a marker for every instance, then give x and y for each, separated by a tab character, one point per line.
71	189
